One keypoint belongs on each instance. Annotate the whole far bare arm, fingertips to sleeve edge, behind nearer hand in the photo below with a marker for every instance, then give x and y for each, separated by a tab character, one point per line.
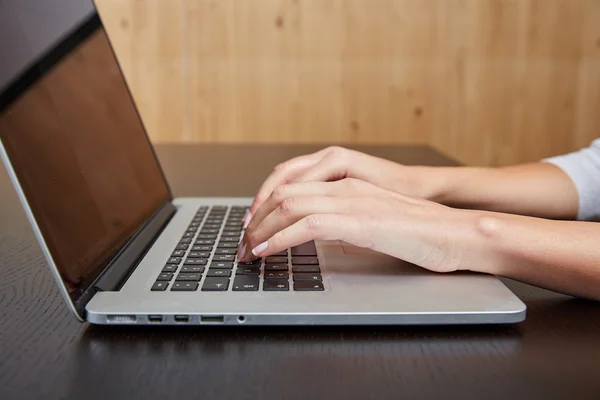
538	189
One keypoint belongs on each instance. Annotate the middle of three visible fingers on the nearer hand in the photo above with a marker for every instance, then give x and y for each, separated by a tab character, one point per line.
294	209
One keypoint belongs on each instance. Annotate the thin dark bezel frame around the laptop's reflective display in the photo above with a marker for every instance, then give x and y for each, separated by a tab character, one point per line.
12	91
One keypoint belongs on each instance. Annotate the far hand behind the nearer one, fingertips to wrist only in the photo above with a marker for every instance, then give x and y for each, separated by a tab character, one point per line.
336	163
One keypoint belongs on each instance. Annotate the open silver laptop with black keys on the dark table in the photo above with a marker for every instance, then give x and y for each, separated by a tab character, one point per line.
123	250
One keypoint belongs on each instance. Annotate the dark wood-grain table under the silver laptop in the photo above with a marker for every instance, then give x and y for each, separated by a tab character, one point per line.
45	353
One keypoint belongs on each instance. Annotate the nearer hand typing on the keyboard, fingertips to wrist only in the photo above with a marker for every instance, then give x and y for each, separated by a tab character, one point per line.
418	231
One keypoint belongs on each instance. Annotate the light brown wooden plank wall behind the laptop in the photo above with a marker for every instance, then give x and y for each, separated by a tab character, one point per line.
491	82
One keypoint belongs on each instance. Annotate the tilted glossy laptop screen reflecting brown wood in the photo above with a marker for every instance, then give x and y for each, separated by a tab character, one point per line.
73	136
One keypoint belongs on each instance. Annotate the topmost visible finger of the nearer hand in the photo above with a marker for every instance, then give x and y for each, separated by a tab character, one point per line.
341	188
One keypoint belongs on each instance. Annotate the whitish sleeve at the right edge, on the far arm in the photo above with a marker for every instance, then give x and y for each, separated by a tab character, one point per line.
583	167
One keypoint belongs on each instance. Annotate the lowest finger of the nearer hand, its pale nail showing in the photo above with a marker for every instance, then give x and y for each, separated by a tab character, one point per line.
313	227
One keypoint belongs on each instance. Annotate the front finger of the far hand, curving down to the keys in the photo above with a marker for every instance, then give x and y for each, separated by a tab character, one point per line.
284	173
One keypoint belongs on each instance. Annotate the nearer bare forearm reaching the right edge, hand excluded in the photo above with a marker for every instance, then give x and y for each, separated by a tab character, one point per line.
557	255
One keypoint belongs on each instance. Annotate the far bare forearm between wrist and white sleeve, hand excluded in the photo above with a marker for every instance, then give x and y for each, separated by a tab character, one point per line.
541	190
